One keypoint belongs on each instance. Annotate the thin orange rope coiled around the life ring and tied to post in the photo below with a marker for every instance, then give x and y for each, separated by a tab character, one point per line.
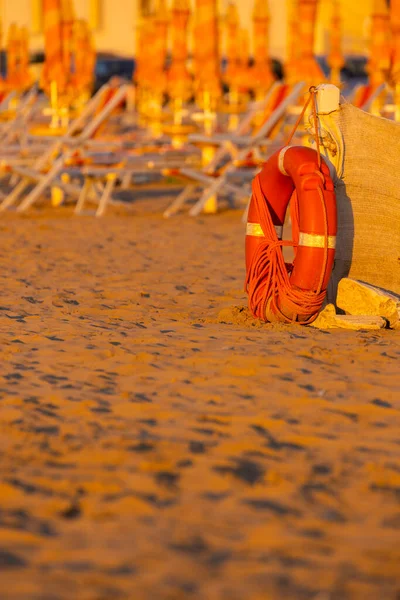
268	278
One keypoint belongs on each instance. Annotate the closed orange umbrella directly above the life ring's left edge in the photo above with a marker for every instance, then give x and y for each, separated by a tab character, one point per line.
261	72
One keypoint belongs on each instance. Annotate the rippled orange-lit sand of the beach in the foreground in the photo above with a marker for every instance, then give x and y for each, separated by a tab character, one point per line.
157	443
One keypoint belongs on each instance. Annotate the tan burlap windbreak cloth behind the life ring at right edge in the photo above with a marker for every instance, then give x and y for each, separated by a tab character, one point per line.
368	198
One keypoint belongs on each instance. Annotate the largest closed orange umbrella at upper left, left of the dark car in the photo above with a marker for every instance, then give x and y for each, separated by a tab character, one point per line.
53	69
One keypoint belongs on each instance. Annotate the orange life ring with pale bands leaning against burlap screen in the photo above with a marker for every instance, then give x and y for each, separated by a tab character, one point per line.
290	292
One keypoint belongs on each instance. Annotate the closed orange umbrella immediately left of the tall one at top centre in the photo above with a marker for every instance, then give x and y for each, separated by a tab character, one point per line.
179	83
